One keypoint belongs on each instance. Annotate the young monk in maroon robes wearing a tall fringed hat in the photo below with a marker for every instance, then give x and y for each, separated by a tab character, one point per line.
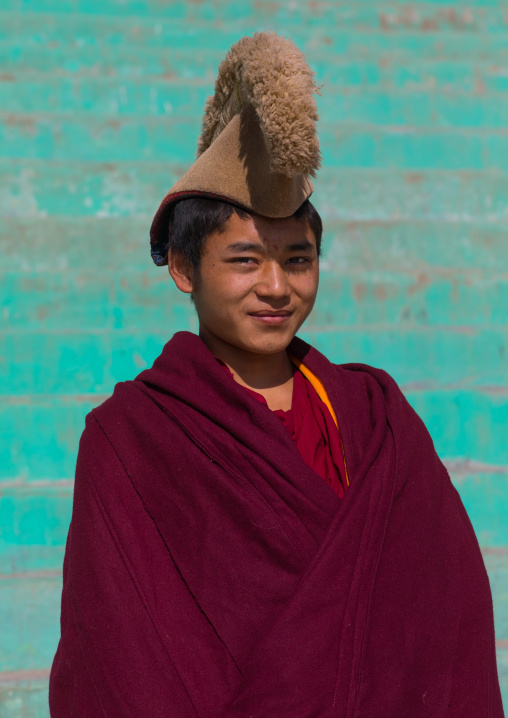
257	531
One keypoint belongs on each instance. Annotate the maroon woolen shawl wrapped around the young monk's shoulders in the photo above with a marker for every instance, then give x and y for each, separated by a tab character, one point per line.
210	572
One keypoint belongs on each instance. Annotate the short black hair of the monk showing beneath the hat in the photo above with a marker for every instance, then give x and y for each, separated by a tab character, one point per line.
193	220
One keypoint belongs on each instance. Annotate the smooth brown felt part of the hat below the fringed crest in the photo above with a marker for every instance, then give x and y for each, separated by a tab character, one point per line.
235	168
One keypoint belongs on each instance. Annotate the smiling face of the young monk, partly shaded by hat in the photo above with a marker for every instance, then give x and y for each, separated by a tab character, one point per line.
257	283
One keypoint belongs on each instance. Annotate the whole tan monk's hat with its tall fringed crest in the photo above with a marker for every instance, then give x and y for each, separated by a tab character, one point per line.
258	147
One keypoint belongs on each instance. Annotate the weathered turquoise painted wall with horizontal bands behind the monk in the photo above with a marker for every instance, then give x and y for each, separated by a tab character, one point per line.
100	106
